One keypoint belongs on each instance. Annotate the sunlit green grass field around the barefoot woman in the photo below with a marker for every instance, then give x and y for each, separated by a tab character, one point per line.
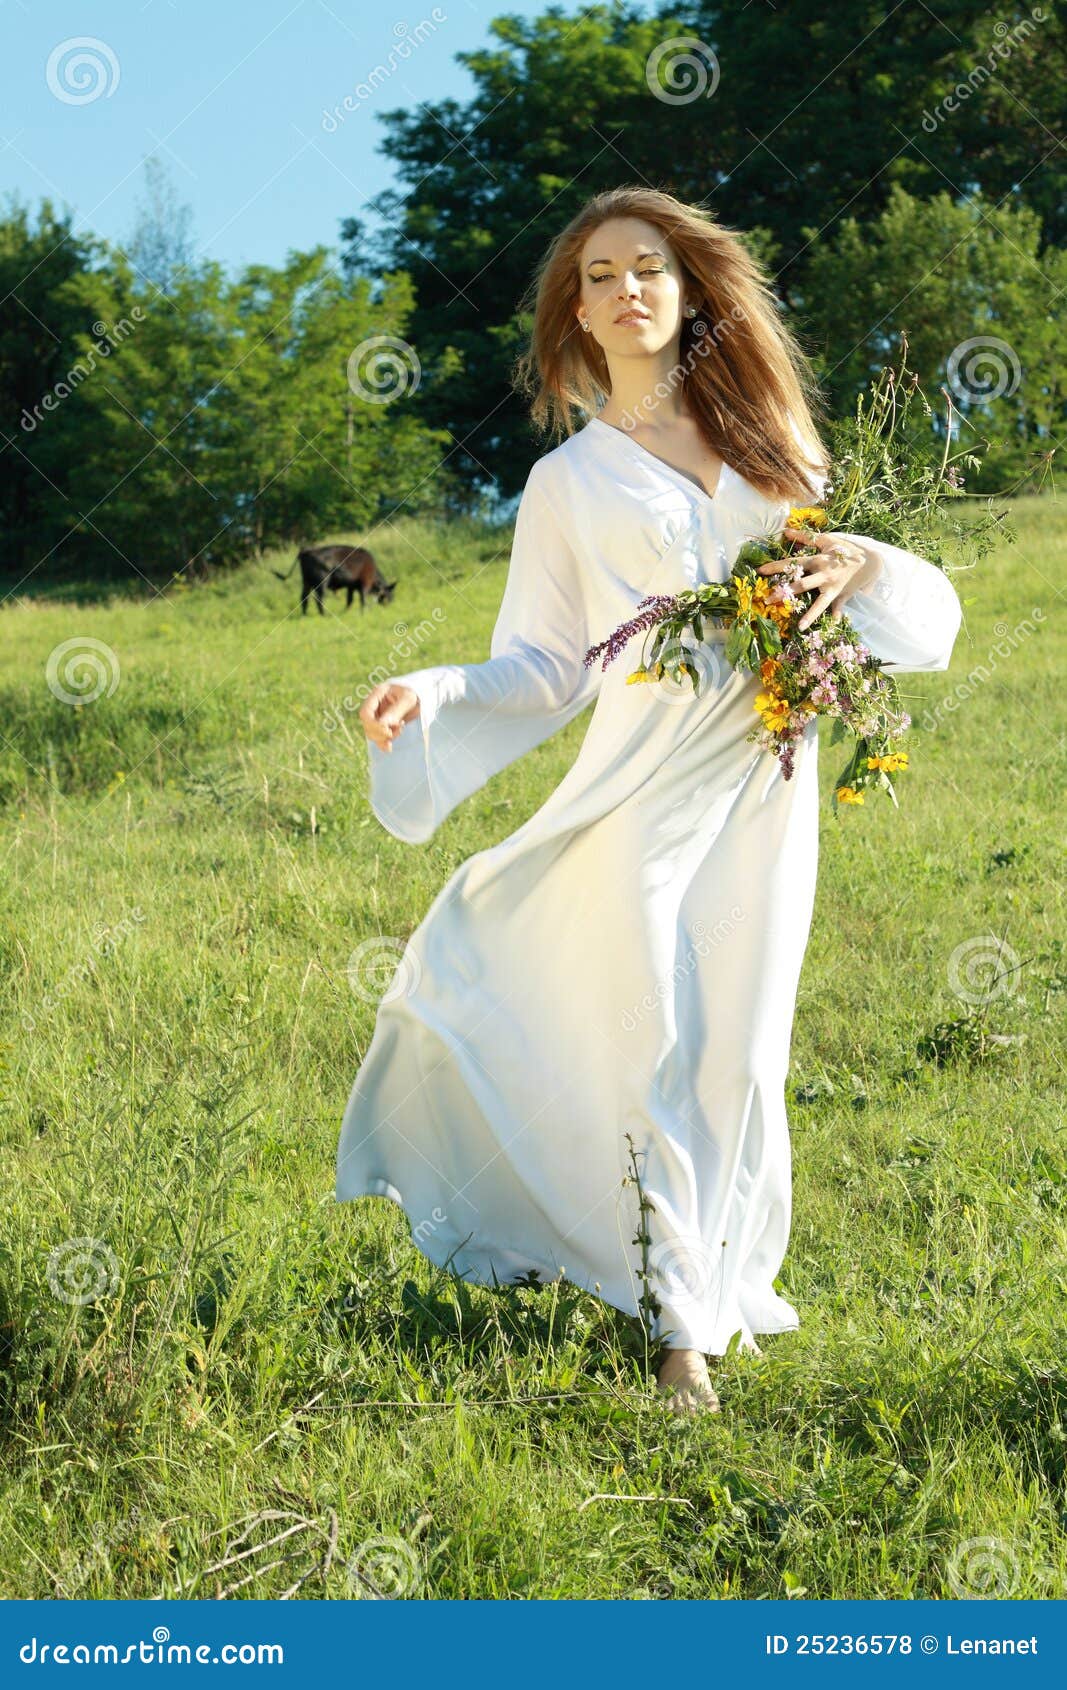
236	1385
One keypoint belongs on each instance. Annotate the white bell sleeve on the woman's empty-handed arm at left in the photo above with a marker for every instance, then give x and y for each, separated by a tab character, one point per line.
478	717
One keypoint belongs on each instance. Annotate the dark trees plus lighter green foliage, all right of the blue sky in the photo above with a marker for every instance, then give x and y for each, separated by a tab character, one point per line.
806	121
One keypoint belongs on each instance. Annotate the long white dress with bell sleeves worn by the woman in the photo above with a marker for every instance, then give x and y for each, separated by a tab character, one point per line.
627	962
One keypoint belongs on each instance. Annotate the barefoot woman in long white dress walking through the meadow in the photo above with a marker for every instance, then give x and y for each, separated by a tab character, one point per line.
611	991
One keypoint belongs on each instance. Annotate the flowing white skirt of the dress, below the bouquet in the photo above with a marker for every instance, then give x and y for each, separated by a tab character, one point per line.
625	964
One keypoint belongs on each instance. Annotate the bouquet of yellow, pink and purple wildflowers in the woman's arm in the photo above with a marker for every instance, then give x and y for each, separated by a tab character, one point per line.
880	486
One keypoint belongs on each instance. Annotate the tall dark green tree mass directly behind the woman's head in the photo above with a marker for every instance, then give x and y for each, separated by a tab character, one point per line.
799	119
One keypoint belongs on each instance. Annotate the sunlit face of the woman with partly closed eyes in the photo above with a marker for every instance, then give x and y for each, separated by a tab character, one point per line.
632	288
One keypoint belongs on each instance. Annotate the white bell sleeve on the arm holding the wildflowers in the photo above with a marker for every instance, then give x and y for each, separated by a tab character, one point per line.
911	614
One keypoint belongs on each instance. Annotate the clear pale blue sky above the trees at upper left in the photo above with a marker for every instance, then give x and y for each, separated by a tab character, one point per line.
233	97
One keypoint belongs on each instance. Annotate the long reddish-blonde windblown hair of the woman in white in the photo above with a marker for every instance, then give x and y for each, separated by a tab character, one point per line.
741	390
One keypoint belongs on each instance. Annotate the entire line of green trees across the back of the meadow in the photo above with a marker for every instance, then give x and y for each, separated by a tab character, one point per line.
894	173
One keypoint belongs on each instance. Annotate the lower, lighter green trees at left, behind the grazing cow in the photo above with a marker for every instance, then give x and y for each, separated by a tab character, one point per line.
163	432
